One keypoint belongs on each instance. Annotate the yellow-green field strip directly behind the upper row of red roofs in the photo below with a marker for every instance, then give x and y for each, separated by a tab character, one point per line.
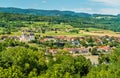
92	31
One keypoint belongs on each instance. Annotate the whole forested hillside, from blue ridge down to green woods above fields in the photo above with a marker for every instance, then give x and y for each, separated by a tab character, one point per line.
79	20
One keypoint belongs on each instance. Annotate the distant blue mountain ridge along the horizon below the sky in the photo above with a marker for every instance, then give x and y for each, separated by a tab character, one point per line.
47	12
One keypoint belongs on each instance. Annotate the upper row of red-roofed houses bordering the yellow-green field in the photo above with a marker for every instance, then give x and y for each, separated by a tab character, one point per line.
68	39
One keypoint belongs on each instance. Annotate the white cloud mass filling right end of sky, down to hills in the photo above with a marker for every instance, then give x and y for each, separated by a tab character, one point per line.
114	4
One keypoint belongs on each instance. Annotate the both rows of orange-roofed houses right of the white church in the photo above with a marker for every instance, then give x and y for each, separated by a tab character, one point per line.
81	50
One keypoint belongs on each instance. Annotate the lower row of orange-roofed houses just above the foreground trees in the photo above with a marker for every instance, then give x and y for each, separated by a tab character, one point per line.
82	50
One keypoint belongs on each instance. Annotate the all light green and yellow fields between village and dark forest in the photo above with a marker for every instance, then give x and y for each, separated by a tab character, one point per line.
62	31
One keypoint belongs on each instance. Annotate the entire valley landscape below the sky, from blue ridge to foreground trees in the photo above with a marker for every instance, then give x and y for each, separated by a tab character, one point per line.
65	46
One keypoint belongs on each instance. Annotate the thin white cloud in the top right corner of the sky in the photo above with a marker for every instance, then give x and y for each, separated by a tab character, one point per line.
108	2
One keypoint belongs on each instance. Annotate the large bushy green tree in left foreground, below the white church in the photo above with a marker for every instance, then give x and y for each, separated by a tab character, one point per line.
26	59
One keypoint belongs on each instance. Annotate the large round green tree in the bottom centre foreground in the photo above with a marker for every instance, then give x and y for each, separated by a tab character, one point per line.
66	65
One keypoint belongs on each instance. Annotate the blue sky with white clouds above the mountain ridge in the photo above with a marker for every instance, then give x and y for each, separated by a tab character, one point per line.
87	6
